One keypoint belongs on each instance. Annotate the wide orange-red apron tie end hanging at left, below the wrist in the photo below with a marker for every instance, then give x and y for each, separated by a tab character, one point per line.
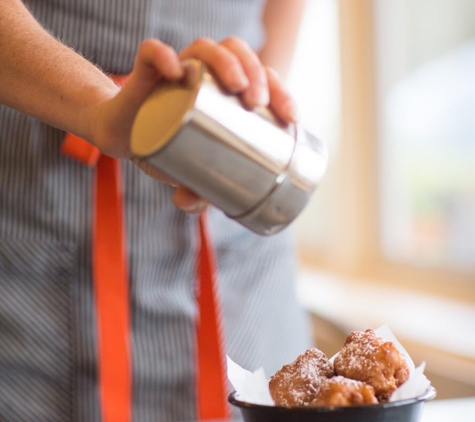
112	293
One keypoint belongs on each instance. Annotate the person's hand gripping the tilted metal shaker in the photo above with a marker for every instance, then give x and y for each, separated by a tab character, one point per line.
232	62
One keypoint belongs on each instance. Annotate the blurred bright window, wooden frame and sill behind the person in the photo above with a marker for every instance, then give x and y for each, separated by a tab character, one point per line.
389	237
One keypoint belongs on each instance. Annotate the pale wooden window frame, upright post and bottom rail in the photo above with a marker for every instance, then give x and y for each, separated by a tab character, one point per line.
354	250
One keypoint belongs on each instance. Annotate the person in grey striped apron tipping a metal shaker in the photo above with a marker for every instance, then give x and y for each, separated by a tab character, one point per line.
56	58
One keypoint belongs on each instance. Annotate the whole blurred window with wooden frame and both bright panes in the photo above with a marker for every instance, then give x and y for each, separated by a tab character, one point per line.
396	107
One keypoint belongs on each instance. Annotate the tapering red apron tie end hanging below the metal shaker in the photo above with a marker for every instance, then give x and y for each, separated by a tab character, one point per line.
212	380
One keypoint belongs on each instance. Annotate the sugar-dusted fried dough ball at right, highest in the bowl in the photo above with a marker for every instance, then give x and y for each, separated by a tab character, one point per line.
368	358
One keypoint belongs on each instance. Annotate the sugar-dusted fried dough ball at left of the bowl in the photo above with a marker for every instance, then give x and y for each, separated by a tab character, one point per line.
297	383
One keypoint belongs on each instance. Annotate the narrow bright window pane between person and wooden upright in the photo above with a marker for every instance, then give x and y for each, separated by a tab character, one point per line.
314	81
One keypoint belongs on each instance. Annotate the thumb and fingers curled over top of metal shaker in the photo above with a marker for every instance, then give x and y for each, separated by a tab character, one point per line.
232	60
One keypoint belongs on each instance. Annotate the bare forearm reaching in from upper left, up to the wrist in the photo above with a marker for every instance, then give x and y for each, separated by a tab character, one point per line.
44	78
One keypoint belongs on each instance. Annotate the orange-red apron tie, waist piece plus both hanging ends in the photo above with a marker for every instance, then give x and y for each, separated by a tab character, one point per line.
110	278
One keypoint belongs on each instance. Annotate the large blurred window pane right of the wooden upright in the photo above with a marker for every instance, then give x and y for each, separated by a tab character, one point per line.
426	101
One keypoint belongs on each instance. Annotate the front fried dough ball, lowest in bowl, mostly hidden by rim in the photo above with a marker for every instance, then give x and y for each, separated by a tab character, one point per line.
341	391
